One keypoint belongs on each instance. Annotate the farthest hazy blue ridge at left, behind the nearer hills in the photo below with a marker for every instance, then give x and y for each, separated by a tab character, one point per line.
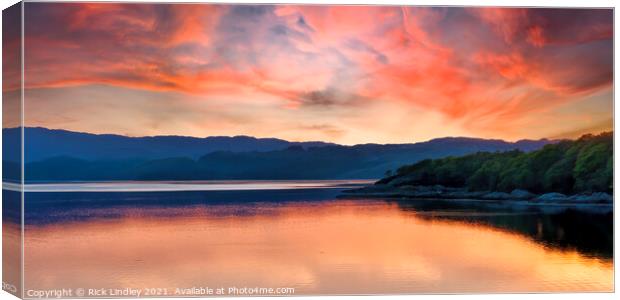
43	143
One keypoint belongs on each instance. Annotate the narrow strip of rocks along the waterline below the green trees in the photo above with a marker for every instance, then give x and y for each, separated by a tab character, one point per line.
441	192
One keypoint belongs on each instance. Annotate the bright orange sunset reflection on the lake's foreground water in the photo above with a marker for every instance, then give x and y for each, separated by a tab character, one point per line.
338	247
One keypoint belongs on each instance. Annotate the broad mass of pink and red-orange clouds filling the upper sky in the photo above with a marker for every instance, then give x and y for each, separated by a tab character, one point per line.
479	68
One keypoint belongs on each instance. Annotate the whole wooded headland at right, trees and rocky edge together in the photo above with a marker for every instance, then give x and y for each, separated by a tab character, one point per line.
572	174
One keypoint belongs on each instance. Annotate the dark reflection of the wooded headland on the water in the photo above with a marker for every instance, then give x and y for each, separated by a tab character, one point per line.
588	233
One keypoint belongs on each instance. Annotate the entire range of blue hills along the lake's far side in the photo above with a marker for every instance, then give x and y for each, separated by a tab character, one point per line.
58	155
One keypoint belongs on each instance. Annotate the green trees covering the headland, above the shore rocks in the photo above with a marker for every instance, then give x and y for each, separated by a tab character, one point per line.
570	167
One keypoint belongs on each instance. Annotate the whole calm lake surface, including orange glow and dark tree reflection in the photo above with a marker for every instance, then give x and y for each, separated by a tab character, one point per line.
300	235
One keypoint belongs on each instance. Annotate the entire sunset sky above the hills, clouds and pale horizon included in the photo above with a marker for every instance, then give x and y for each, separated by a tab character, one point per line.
344	74
